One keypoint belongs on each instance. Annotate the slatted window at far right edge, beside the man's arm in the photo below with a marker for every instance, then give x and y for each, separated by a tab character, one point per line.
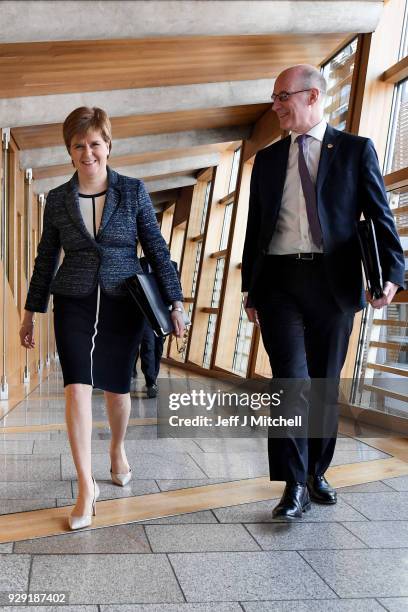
380	380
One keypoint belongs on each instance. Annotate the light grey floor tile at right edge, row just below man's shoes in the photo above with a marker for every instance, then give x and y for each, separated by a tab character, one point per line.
381	534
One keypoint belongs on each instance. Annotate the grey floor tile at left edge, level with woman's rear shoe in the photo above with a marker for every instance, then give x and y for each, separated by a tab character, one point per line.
29	468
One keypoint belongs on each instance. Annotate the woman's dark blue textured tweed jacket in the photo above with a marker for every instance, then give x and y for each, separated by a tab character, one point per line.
128	216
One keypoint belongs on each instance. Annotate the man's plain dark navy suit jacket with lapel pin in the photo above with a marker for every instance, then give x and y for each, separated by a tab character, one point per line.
349	182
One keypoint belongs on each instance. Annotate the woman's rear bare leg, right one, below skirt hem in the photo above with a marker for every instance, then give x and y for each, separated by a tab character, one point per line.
118	406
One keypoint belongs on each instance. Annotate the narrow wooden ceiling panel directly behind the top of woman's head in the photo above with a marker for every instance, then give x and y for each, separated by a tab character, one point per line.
38	136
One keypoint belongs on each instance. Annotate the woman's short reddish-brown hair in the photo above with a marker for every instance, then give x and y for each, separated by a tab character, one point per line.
86	118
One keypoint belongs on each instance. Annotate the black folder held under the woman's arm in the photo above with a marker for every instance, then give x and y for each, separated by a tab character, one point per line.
144	289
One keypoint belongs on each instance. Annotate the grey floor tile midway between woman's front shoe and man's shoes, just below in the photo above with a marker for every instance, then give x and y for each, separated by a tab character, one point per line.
199	538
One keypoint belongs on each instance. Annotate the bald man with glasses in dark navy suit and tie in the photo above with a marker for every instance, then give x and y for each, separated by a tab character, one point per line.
301	267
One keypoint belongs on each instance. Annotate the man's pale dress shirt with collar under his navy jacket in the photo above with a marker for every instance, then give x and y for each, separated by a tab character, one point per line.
292	232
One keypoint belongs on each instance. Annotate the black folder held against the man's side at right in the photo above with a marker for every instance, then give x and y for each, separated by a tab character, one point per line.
370	257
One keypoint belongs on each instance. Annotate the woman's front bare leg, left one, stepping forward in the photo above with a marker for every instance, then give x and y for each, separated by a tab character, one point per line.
78	414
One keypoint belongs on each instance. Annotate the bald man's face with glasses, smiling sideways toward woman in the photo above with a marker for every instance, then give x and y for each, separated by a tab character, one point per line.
294	113
